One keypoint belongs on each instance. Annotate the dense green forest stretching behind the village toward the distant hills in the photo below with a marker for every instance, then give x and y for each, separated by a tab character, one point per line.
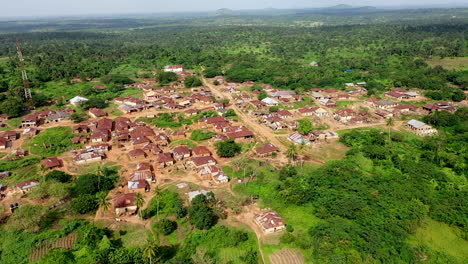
382	55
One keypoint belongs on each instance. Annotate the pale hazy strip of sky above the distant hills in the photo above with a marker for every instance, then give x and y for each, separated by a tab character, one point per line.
13	8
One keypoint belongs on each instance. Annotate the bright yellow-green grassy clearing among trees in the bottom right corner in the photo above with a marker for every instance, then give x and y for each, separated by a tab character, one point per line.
442	238
